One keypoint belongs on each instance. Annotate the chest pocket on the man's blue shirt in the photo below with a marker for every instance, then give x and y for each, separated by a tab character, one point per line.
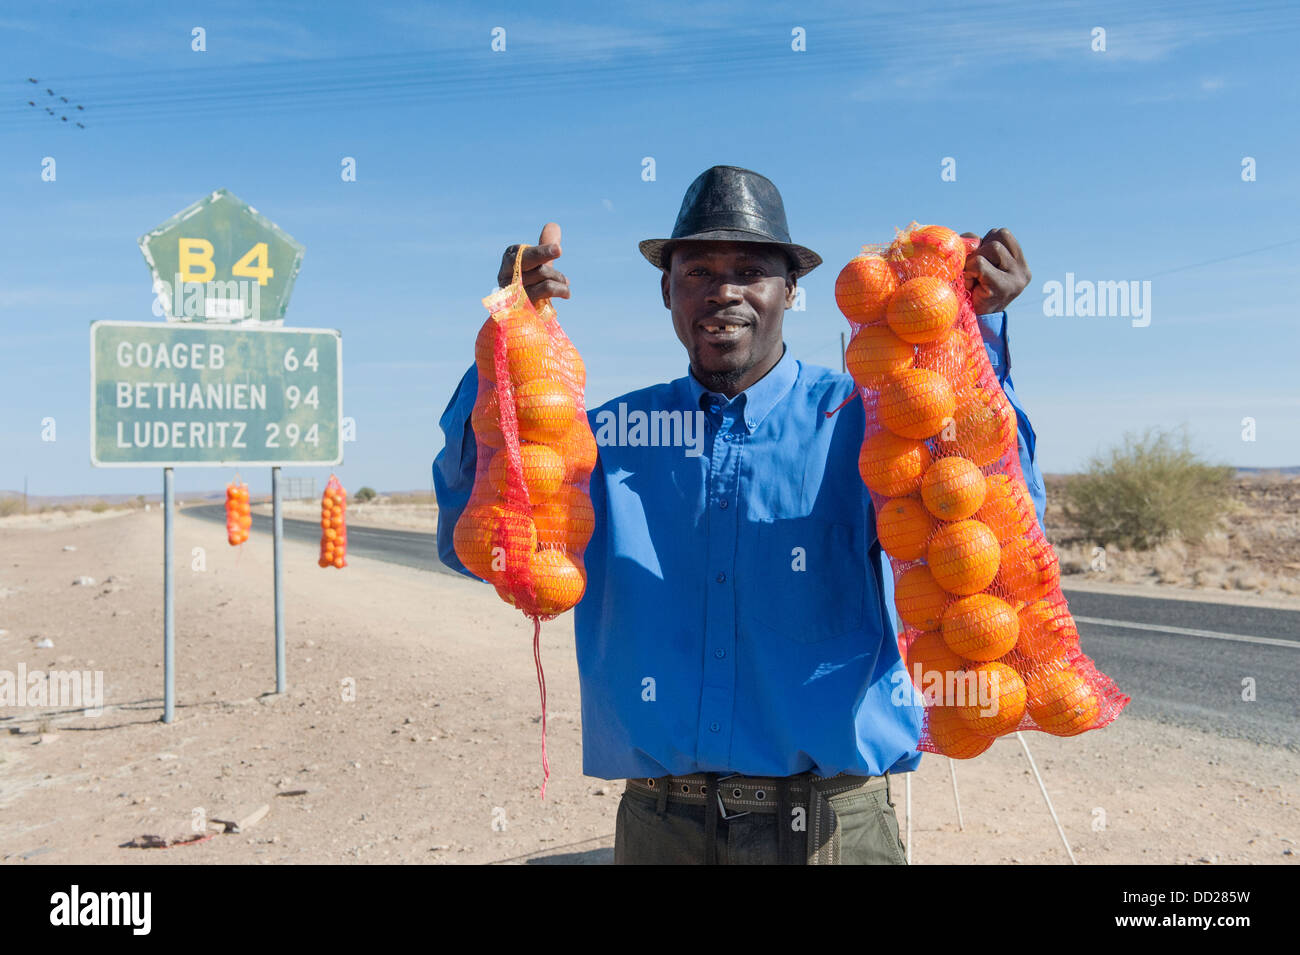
809	580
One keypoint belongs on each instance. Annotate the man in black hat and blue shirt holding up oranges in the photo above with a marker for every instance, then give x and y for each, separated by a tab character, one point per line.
736	646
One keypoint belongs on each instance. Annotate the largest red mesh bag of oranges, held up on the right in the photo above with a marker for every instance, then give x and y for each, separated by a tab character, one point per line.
989	640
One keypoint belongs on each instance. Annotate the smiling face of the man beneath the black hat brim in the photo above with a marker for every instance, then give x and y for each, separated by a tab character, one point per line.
729	301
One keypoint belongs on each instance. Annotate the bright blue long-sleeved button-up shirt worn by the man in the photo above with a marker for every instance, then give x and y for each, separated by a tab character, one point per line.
739	611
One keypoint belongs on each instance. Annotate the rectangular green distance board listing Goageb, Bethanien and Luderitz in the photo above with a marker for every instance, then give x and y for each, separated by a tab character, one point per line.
189	396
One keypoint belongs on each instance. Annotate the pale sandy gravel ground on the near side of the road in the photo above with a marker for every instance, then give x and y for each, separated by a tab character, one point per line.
437	761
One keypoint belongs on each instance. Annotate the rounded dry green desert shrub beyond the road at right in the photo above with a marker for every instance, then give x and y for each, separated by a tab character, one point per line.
1147	489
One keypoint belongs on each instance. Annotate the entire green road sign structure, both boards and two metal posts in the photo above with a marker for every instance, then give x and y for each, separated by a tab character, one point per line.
219	383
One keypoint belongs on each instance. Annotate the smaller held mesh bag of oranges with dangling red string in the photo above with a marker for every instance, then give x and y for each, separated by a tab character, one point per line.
530	515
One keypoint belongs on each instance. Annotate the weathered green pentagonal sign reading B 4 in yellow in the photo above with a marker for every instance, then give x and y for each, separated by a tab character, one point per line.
220	261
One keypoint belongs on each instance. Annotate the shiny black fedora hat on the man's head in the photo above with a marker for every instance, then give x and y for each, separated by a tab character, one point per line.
733	205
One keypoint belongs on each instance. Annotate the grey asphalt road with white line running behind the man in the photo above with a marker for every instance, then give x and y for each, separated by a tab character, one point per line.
1182	662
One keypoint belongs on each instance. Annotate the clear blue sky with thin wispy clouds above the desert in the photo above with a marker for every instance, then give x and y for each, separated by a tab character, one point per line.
1117	166
